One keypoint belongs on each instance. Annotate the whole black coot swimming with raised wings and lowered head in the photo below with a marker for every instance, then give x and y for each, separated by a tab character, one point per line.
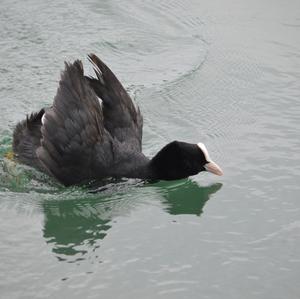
94	131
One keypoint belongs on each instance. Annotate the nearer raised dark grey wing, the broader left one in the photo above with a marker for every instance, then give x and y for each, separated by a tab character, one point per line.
72	129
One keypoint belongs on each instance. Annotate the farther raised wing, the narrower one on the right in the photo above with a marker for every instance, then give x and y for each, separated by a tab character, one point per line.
121	118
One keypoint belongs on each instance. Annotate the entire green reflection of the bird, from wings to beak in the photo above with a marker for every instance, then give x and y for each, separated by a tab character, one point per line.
76	227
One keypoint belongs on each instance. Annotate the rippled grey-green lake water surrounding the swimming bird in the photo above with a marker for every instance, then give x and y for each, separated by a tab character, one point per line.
226	73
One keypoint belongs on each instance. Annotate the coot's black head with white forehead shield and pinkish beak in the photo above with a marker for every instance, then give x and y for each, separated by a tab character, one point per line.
179	160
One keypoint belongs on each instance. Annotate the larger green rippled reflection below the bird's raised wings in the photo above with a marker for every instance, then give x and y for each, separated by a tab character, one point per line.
75	226
